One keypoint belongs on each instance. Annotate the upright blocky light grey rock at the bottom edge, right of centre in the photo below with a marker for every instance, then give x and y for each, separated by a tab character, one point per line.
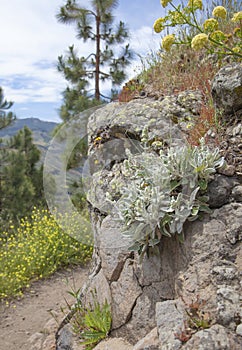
170	321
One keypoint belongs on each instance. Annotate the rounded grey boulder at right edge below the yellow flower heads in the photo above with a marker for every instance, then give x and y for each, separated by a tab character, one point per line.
227	88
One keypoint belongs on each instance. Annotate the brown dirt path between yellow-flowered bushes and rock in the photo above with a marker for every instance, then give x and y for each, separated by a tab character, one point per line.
23	318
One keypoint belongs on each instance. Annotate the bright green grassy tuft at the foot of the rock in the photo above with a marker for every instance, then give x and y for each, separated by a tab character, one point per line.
92	324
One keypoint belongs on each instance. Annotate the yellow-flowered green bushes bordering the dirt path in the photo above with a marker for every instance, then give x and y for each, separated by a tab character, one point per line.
35	249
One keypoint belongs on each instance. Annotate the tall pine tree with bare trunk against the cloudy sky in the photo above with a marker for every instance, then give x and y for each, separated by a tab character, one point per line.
94	24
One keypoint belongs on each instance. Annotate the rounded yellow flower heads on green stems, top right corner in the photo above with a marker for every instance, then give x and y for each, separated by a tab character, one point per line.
208	35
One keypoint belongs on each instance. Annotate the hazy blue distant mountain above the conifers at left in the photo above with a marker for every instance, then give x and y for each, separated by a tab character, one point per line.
41	130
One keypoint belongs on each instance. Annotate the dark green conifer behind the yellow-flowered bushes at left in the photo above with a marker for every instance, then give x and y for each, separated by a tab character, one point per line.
21	178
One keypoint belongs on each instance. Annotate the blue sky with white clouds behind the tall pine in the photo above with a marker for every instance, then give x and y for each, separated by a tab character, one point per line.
32	39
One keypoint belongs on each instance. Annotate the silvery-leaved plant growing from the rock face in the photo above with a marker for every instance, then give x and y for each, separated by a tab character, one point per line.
163	192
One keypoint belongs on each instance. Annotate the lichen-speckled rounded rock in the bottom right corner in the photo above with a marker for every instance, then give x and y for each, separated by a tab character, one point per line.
217	338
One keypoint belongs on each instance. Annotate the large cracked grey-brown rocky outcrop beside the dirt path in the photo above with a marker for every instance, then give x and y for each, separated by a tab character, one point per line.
187	295
